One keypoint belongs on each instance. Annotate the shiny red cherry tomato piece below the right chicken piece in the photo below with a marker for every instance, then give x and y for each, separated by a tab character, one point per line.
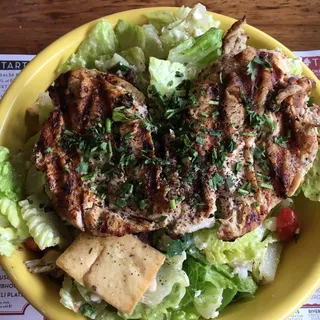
287	224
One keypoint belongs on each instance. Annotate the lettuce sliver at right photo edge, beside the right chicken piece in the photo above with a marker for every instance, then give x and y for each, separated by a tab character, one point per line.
311	185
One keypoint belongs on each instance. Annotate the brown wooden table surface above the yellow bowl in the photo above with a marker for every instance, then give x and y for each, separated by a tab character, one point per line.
28	26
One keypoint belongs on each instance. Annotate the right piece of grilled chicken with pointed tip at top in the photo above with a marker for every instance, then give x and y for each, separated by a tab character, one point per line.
264	113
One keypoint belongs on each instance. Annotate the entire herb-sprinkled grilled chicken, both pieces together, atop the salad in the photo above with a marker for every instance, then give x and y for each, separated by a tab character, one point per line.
244	143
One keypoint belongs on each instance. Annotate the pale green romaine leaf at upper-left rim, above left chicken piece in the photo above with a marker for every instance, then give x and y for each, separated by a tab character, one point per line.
101	42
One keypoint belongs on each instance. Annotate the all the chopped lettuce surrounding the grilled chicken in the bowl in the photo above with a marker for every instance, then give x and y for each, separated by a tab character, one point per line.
202	274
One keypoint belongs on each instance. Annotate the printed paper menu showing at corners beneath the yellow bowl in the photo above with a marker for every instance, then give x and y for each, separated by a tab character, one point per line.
12	304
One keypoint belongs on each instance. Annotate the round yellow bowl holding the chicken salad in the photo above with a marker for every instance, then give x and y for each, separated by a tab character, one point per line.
299	270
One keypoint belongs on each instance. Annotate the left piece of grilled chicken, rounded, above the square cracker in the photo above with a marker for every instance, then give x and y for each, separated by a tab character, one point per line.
108	182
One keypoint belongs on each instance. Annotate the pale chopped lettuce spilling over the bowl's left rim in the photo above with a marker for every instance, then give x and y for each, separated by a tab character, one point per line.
21	218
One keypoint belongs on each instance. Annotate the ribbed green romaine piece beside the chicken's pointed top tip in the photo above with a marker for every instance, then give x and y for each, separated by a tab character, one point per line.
200	51
